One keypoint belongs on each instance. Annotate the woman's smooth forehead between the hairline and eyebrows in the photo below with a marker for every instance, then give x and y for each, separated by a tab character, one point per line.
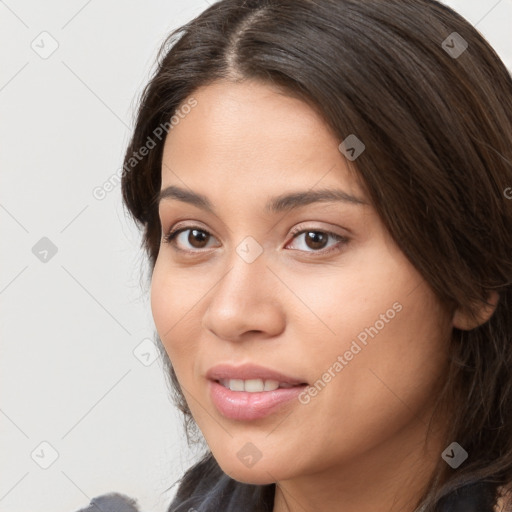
251	135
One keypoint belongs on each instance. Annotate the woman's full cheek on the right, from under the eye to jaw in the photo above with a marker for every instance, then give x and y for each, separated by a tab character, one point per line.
392	335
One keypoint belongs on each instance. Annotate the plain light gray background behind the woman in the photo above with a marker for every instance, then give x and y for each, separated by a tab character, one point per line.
72	326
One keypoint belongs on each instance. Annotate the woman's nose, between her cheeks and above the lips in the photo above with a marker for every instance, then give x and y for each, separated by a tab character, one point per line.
246	302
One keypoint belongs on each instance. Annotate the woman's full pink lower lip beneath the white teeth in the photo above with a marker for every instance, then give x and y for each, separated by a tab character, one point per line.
242	405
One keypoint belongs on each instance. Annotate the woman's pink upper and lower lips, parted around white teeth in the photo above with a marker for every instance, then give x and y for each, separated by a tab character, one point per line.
242	405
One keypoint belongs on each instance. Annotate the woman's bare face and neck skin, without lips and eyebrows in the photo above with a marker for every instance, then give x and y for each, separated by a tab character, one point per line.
359	445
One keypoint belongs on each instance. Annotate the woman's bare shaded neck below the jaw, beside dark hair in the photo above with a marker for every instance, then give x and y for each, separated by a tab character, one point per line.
391	477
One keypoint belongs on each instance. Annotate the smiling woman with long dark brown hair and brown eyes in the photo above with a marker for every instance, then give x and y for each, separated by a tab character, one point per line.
325	202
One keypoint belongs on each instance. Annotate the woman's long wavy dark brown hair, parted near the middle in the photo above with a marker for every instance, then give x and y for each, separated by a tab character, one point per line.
434	110
